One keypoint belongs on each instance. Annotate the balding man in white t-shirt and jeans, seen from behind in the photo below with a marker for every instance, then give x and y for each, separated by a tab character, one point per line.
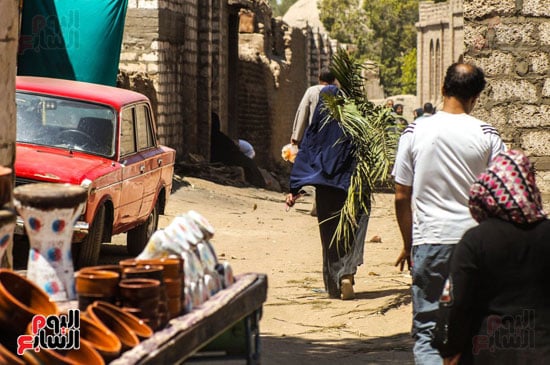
437	161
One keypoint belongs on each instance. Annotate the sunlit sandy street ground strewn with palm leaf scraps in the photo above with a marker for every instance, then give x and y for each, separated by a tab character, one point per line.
299	324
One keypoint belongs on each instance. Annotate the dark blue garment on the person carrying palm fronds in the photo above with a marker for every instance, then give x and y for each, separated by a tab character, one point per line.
325	156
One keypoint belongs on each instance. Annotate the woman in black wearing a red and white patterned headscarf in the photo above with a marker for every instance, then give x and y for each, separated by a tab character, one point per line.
495	306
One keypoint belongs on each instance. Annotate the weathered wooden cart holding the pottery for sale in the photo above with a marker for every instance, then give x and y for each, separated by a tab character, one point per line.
225	326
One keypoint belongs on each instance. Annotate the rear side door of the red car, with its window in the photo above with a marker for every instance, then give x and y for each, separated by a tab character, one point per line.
151	156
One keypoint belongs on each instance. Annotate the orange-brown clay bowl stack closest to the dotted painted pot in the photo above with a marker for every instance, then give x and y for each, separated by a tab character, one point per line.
92	284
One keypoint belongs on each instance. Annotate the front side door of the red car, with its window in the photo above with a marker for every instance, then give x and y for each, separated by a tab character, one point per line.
133	171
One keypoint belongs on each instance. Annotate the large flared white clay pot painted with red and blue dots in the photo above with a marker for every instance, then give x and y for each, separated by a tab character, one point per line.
49	212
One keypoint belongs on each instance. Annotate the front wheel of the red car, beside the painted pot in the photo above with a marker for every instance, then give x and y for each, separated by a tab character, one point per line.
87	252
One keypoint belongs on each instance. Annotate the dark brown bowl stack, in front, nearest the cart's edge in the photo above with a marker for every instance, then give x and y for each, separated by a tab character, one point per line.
141	298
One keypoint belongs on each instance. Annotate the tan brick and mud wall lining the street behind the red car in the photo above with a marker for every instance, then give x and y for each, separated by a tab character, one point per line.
189	57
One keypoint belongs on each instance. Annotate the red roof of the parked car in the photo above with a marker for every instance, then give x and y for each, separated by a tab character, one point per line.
109	95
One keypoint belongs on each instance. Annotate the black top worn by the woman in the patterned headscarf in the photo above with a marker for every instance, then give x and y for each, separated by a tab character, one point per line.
498	310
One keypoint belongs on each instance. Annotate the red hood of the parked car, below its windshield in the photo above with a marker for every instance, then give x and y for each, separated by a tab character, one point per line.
58	165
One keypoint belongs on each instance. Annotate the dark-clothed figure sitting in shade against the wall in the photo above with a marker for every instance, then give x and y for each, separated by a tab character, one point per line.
223	149
